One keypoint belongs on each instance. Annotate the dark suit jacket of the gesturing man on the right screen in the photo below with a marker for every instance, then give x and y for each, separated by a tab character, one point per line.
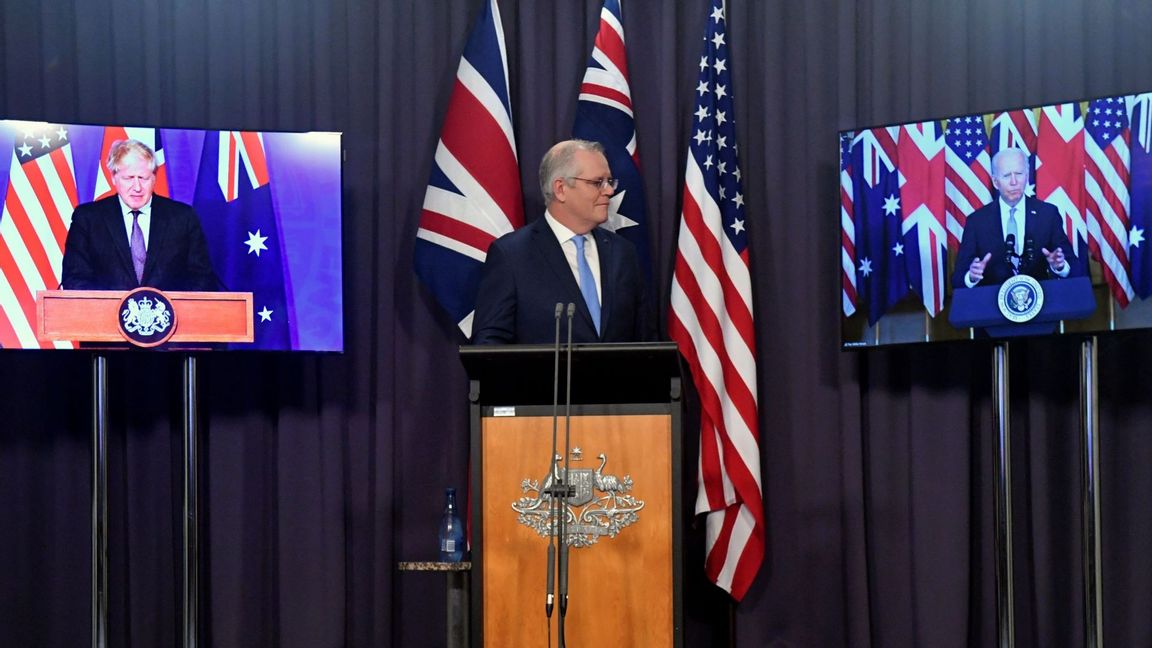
984	233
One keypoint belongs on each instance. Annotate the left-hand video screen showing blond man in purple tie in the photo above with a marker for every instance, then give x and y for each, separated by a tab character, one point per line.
224	216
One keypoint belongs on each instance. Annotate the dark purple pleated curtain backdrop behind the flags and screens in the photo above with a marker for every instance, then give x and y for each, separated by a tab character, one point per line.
322	472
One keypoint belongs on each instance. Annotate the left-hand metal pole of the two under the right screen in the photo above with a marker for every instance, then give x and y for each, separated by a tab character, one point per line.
1006	623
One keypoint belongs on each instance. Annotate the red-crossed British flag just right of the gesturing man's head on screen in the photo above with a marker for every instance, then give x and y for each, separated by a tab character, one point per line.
1060	169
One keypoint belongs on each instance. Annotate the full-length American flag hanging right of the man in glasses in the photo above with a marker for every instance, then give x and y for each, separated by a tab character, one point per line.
711	319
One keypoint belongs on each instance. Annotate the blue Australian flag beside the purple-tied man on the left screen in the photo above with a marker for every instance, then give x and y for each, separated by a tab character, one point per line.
234	201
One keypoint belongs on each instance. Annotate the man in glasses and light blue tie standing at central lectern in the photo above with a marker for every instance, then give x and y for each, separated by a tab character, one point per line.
565	258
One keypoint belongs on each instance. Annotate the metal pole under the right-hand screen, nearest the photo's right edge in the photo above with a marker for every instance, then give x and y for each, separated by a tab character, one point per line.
1090	496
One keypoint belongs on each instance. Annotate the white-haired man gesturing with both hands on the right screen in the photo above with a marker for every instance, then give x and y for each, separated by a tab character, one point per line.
1014	235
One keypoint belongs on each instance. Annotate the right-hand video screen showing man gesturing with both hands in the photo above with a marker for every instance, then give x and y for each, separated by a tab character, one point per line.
1025	222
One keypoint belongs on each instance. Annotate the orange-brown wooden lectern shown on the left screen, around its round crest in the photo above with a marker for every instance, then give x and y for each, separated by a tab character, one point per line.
93	317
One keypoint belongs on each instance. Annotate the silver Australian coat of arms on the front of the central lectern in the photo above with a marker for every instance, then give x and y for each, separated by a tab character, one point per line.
602	504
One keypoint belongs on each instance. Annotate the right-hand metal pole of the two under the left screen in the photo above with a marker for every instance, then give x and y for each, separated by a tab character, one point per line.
192	514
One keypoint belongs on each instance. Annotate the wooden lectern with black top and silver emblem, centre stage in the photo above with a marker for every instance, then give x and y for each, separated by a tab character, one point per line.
625	523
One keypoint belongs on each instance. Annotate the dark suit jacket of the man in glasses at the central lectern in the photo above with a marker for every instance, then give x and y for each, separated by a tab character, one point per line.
527	275
